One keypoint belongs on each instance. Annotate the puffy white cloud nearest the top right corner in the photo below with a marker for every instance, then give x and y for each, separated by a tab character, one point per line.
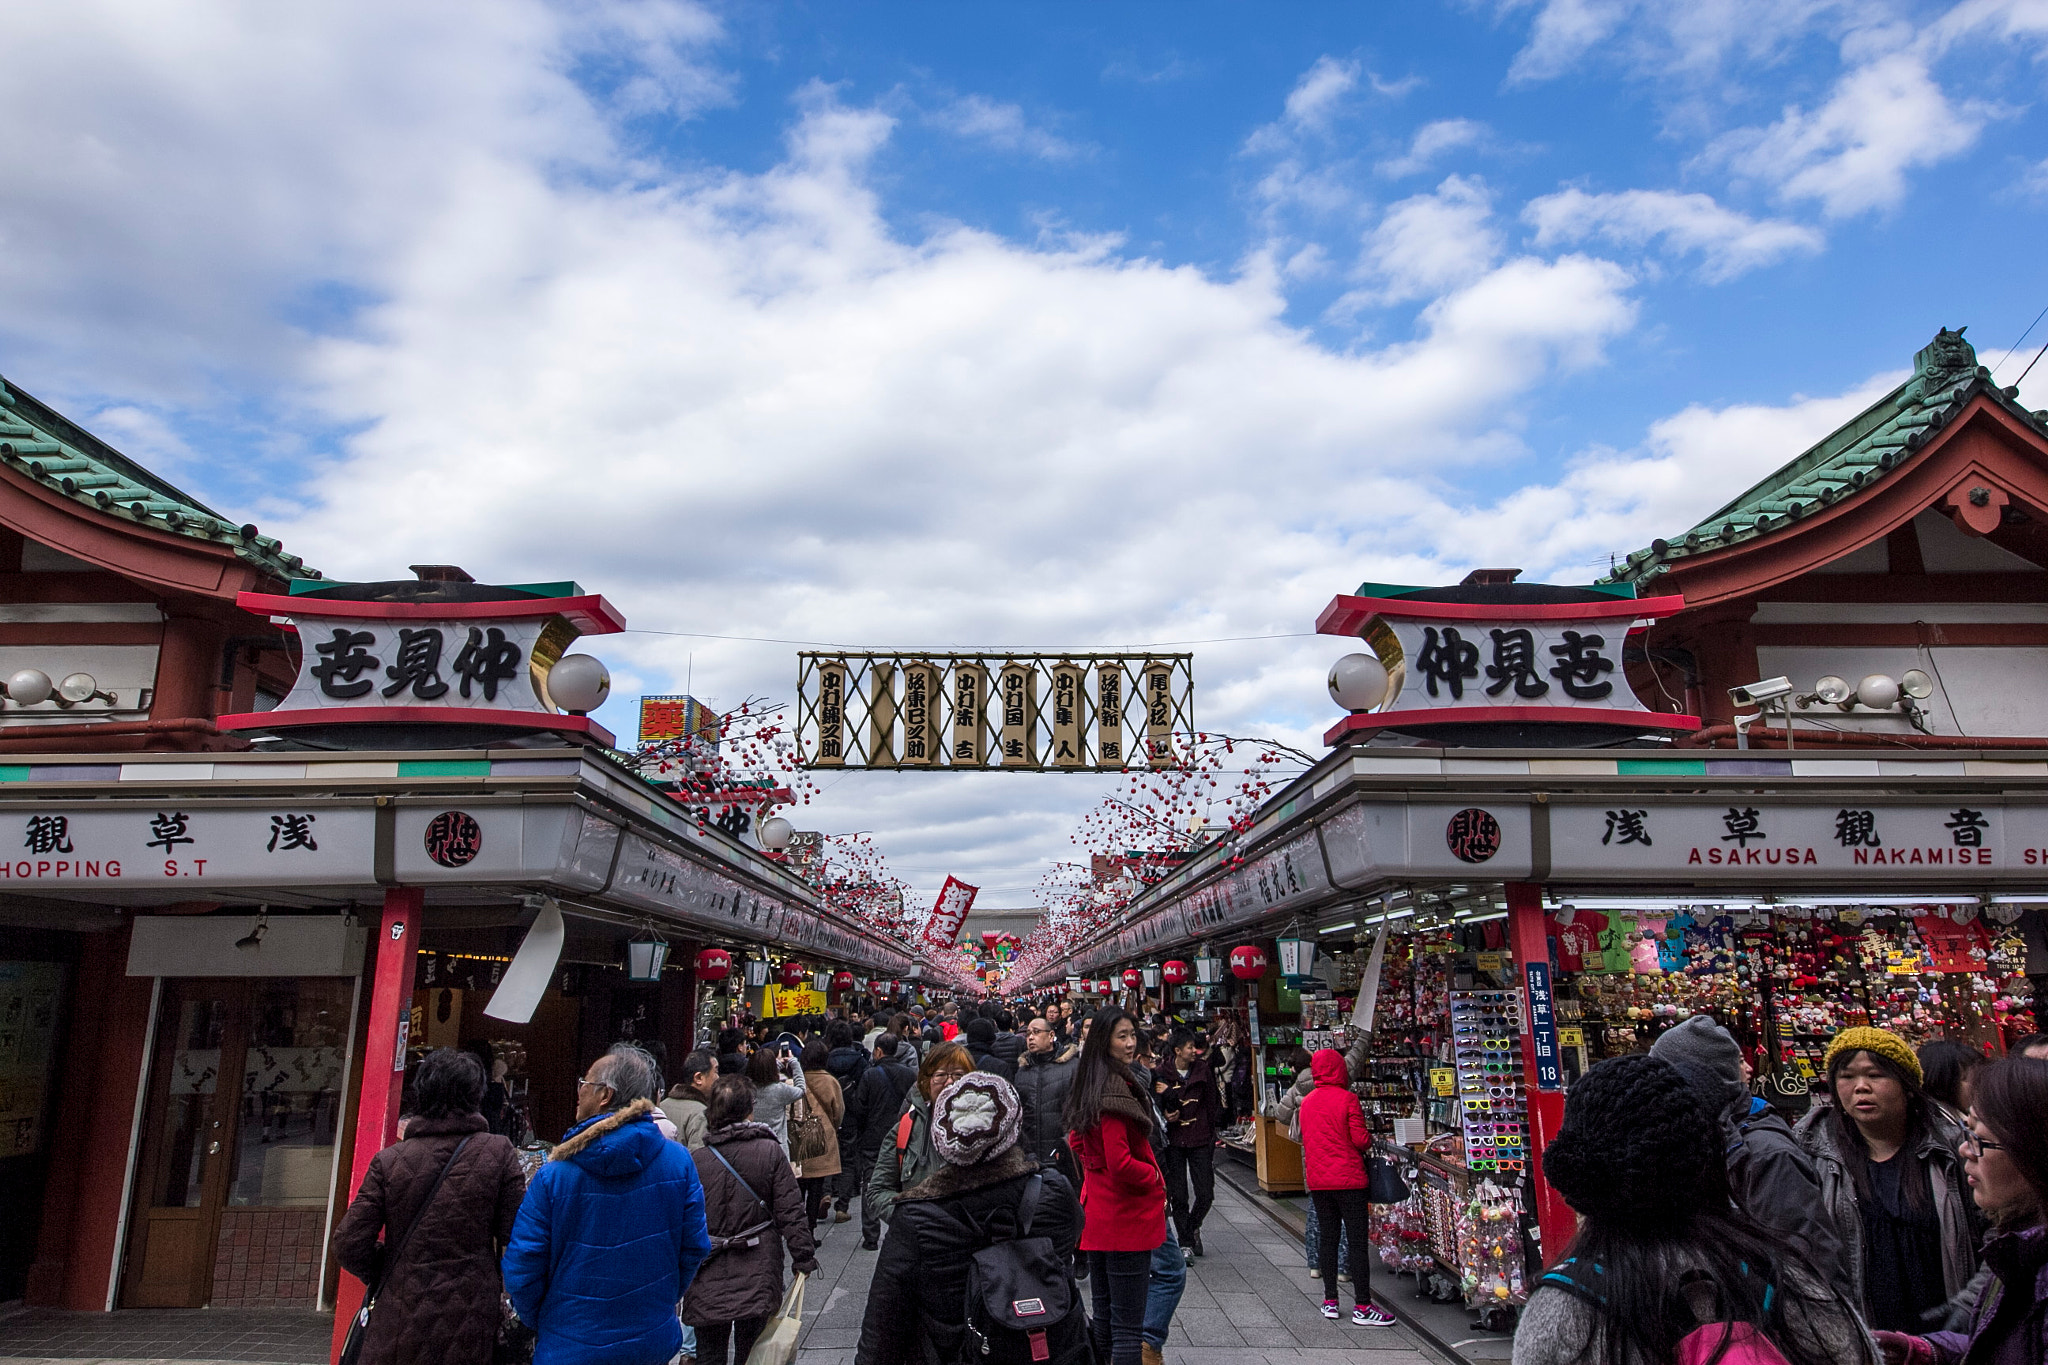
1852	155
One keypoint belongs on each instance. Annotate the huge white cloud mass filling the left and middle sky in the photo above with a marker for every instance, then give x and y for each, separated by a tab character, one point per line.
742	402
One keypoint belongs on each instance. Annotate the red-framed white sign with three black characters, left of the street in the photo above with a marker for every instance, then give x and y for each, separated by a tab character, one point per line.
427	662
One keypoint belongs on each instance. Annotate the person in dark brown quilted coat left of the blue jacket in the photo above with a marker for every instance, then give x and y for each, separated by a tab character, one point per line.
443	1198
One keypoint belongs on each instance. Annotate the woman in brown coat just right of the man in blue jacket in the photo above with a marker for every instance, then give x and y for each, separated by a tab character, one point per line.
755	1210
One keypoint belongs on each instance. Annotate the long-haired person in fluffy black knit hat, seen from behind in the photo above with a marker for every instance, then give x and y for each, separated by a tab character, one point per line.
1664	1268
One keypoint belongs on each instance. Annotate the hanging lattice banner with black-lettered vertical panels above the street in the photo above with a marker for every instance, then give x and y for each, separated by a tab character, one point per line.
1025	713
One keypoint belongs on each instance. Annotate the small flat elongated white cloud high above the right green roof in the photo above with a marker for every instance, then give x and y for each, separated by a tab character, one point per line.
1730	243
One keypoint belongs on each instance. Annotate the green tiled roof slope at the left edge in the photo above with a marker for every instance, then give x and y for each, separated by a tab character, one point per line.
48	447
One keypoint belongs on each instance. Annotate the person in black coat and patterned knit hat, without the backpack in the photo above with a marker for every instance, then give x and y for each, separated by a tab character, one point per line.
972	1200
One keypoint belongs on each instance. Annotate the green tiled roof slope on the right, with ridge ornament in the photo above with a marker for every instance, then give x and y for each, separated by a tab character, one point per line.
1848	461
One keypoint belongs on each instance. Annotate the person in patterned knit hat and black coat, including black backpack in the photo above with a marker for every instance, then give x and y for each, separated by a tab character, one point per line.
978	1251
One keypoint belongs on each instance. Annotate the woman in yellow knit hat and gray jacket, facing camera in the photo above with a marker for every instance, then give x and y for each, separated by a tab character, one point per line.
1891	1182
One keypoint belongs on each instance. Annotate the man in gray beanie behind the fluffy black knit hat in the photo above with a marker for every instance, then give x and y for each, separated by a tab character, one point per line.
1770	1174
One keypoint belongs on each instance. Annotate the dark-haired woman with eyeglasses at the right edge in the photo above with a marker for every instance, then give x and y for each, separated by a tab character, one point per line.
2006	1161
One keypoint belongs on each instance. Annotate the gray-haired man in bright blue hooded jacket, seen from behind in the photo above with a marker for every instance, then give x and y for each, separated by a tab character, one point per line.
611	1231
